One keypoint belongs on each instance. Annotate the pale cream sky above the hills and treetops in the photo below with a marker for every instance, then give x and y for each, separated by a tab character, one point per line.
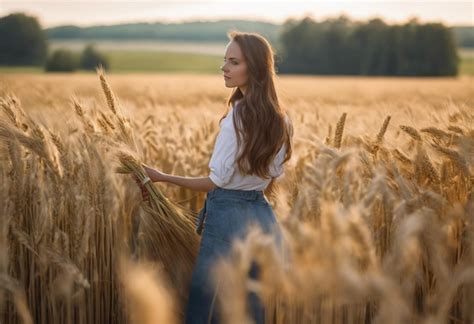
93	12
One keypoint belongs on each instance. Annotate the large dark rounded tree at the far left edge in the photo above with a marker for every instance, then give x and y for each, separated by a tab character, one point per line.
22	40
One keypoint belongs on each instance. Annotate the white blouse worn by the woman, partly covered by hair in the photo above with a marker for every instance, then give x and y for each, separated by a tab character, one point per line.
224	171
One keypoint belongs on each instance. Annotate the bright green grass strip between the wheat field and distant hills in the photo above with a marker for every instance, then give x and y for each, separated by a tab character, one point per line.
143	61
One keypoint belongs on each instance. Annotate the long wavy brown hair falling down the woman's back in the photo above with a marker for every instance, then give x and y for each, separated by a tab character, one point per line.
259	120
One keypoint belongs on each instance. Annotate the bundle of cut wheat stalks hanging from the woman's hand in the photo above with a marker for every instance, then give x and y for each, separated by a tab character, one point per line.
166	232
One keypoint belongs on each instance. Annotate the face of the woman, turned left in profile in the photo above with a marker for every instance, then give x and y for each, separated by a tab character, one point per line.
234	67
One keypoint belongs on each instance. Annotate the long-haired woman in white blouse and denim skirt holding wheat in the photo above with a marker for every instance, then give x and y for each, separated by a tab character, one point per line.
253	144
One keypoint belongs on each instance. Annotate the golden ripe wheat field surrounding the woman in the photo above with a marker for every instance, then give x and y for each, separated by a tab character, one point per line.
376	204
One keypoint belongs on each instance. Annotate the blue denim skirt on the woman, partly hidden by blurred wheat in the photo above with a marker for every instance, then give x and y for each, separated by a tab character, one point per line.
225	217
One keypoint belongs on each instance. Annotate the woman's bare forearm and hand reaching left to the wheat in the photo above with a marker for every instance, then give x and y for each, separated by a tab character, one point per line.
194	183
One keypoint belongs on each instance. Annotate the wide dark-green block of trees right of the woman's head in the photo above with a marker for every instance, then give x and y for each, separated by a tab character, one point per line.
341	46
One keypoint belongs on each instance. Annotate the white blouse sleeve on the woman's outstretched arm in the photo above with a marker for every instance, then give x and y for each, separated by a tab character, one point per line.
222	163
